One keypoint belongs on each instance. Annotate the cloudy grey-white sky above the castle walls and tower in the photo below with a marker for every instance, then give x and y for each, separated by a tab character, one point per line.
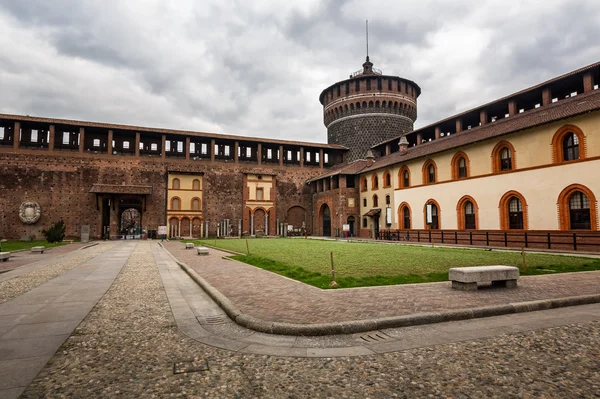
257	67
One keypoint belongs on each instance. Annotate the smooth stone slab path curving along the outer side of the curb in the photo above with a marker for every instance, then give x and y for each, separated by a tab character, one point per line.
200	318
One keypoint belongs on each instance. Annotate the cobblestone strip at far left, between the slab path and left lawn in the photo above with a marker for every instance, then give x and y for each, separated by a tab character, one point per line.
37	273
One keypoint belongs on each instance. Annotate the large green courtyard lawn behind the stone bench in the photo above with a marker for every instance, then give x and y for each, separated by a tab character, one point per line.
366	264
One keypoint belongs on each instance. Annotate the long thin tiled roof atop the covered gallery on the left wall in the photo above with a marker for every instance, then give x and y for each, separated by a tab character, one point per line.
167	131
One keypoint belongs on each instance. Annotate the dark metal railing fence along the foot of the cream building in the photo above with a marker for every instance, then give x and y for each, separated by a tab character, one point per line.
558	240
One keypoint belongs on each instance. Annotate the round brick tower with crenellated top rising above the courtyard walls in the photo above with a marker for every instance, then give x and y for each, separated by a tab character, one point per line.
368	108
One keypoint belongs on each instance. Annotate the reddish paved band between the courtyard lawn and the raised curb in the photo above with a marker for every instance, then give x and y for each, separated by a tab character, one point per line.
270	297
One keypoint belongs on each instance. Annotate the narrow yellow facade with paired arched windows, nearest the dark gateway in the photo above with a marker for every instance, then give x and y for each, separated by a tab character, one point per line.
184	205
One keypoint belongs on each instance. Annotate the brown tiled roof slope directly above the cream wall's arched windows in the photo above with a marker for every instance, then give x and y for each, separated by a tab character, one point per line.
581	104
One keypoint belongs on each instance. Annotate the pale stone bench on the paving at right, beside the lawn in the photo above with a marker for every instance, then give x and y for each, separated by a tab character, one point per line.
467	278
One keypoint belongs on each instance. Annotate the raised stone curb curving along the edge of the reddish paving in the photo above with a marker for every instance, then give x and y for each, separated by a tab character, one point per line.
360	326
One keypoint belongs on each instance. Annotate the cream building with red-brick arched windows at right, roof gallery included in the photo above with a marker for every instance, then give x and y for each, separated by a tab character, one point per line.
529	161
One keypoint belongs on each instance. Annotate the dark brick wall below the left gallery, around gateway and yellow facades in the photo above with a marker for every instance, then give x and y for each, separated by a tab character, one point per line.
60	183
